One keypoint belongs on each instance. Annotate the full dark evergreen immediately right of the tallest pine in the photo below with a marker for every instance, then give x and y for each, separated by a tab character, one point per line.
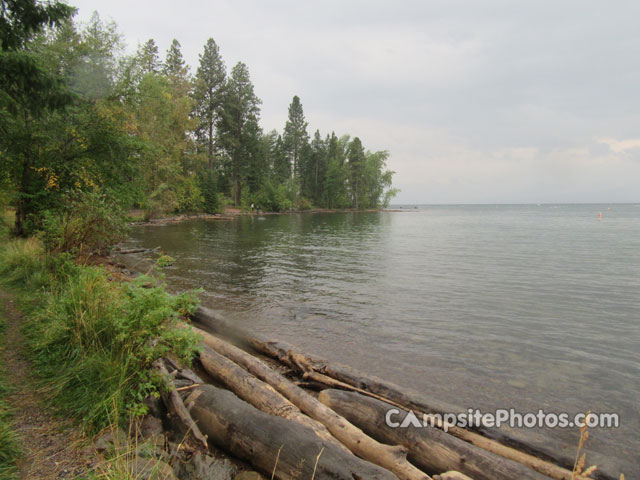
238	129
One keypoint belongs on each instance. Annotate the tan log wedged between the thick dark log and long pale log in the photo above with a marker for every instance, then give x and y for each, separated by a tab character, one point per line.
259	394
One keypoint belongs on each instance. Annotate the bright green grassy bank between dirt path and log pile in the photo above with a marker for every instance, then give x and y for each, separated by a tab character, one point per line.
93	340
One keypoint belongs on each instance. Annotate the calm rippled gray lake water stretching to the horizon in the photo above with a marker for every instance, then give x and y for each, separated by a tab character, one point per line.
478	306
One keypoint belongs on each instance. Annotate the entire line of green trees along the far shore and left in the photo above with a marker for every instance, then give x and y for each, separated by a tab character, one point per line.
80	115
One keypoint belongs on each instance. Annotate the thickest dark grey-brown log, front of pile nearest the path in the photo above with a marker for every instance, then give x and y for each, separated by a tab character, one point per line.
274	443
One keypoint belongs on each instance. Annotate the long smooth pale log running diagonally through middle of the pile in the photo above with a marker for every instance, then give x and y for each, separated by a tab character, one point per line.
392	458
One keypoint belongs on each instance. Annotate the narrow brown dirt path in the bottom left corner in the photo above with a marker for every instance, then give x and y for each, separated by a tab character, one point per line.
53	449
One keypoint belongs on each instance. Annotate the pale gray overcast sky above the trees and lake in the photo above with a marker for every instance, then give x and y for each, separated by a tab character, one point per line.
477	101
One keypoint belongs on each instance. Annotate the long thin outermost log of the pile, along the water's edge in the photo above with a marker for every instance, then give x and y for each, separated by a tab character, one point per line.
283	352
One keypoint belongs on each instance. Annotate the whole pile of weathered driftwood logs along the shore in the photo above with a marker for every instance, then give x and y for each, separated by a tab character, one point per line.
286	429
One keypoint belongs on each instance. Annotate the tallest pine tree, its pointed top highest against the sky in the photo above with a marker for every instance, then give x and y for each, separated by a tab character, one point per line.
208	94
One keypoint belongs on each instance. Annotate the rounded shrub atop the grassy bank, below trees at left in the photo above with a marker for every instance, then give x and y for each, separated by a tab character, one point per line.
88	223
